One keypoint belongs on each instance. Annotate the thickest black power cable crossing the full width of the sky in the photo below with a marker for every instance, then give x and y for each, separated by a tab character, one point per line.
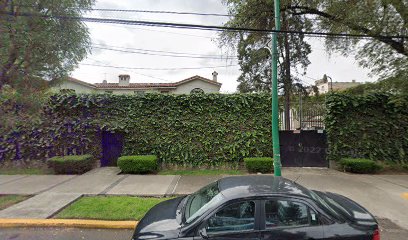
204	27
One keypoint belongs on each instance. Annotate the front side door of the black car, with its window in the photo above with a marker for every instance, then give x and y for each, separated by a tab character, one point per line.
237	220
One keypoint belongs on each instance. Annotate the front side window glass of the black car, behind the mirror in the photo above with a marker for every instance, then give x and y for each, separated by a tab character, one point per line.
233	218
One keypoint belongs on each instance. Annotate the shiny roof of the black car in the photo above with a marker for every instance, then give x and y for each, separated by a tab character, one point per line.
259	185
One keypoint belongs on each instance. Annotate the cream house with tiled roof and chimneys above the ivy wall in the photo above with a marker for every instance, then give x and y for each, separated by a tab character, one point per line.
124	86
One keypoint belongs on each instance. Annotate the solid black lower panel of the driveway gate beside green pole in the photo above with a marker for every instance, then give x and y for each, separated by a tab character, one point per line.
303	148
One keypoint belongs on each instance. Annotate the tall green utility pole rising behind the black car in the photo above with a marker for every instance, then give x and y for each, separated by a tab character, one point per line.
275	106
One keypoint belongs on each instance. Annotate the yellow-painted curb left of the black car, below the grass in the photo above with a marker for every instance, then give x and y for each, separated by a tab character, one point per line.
70	223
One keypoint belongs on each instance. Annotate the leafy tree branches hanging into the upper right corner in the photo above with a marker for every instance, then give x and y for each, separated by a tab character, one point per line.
377	18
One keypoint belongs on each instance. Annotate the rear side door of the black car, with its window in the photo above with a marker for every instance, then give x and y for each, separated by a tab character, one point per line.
283	219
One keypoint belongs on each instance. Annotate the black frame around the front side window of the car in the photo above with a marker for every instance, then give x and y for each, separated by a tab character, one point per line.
204	222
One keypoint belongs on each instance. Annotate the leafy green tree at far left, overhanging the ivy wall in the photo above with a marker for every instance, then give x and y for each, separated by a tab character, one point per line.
34	49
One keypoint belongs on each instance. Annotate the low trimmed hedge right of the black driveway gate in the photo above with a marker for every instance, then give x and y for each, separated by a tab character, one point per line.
359	165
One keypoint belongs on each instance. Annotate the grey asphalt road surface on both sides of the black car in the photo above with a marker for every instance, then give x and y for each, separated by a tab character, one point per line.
390	231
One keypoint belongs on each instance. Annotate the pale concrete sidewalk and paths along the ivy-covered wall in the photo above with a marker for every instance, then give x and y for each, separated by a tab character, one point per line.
383	195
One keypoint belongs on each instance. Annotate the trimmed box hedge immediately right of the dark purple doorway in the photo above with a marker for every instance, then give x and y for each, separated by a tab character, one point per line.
138	164
